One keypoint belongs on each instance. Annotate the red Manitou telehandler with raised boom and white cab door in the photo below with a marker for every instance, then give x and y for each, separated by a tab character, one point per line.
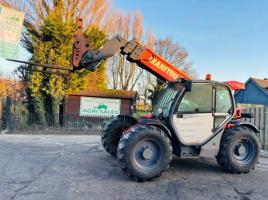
191	118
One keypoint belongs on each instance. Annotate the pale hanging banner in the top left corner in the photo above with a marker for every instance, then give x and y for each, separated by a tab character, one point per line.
11	22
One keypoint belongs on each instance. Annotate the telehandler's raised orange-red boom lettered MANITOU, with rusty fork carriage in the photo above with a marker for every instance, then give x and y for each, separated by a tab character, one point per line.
134	51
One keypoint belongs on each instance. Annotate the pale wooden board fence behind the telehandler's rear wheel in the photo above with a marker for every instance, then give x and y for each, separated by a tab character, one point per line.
260	120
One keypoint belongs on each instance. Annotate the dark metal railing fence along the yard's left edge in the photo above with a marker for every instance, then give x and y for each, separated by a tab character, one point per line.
21	123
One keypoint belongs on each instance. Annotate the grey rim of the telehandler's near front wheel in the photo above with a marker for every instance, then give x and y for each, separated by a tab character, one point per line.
147	154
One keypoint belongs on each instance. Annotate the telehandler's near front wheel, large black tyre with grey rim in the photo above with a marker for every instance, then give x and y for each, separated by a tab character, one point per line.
144	152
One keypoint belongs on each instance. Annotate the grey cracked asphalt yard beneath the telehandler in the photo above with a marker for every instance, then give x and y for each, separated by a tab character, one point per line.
77	168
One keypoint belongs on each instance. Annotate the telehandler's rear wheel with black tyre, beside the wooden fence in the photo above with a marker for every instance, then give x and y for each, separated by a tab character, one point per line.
239	150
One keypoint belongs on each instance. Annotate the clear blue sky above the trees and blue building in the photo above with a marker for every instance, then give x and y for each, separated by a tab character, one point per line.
227	38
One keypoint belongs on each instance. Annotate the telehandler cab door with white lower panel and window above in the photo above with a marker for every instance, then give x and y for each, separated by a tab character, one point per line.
193	120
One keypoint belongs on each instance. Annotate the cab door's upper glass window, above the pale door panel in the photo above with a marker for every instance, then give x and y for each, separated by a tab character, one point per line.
198	100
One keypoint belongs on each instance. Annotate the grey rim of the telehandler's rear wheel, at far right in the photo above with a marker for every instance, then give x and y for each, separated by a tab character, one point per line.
244	151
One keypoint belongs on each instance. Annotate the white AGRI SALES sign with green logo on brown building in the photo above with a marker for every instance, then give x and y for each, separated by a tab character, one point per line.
103	107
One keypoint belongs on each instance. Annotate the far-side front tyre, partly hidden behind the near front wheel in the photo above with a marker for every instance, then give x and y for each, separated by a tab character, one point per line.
113	131
